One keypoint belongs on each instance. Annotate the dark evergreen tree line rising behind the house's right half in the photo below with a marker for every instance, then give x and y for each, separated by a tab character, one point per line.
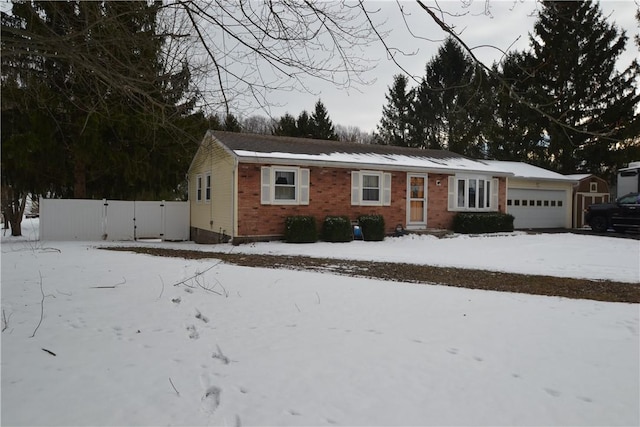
562	104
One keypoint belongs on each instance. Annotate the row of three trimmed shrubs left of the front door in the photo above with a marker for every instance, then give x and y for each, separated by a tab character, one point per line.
303	229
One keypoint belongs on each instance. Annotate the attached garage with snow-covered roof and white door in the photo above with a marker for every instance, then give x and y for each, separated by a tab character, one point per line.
537	197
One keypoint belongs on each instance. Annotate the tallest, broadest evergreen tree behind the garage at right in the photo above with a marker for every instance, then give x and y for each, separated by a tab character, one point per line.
587	104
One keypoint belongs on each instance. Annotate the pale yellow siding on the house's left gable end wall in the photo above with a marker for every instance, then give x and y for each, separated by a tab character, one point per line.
215	215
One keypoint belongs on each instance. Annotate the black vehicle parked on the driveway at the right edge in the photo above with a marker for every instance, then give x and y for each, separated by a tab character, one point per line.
622	215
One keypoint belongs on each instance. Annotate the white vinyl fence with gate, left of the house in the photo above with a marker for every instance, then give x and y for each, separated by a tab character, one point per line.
91	220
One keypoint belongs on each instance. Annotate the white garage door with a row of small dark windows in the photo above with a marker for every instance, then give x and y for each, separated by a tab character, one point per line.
537	208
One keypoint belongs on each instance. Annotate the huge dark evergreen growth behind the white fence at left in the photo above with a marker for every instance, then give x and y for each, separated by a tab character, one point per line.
115	108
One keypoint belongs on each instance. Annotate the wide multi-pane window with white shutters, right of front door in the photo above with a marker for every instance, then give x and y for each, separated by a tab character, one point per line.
473	193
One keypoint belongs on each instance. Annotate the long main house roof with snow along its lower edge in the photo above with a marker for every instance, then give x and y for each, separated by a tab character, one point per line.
277	149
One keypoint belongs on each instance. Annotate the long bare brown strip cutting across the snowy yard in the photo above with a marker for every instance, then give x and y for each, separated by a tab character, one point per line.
599	290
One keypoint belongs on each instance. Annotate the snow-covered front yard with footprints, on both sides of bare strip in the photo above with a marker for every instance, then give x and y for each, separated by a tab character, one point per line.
278	347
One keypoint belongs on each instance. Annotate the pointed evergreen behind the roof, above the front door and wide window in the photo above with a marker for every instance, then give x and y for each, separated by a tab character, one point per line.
447	108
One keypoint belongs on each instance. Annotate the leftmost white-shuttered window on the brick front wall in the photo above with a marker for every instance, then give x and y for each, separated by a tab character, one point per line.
284	186
